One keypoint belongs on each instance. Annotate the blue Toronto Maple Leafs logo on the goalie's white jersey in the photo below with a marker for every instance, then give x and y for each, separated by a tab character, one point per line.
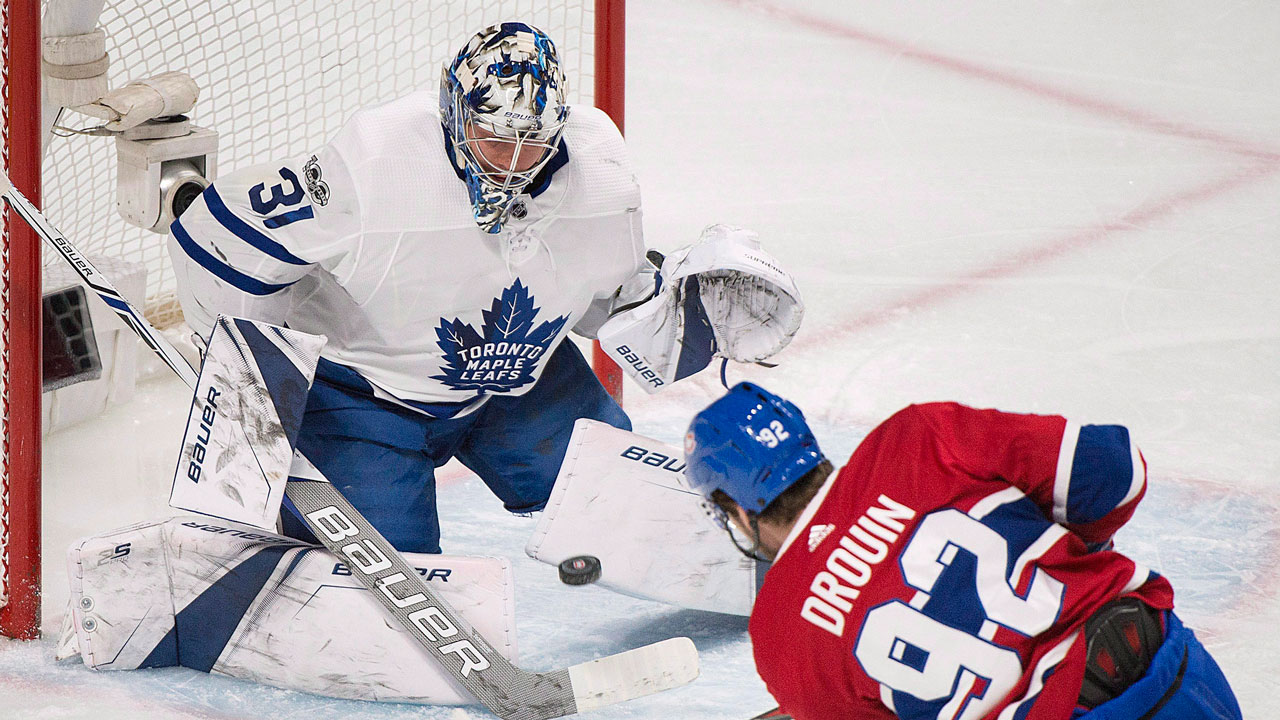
504	354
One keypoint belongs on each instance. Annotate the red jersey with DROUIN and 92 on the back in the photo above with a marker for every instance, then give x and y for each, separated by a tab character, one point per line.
948	571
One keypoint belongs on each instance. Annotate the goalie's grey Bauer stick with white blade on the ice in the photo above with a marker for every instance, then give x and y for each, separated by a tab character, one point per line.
506	690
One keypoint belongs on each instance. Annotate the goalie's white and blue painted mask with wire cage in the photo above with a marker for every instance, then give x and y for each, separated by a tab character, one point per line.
502	104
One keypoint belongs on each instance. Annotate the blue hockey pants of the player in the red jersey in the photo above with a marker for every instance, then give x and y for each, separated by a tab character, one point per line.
1183	683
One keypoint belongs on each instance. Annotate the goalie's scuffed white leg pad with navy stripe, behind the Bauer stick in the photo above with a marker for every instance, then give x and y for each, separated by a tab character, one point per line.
236	601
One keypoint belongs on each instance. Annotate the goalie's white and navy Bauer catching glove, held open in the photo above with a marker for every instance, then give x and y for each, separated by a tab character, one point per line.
723	297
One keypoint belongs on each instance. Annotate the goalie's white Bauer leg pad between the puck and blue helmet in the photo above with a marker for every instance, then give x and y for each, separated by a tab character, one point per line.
623	498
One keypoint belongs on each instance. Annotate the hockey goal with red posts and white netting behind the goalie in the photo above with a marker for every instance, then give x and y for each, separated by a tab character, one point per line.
278	79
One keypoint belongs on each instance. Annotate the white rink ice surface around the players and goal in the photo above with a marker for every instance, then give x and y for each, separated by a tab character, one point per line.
1058	207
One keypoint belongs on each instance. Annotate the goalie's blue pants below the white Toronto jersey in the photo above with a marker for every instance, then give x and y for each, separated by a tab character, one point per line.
383	457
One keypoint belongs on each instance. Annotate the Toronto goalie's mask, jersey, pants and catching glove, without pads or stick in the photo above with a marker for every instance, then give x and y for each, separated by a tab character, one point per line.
447	257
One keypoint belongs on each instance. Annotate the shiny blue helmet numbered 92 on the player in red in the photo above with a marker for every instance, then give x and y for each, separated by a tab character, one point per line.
752	445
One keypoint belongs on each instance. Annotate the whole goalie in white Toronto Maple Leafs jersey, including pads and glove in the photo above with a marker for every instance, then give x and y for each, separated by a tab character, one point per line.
332	325
